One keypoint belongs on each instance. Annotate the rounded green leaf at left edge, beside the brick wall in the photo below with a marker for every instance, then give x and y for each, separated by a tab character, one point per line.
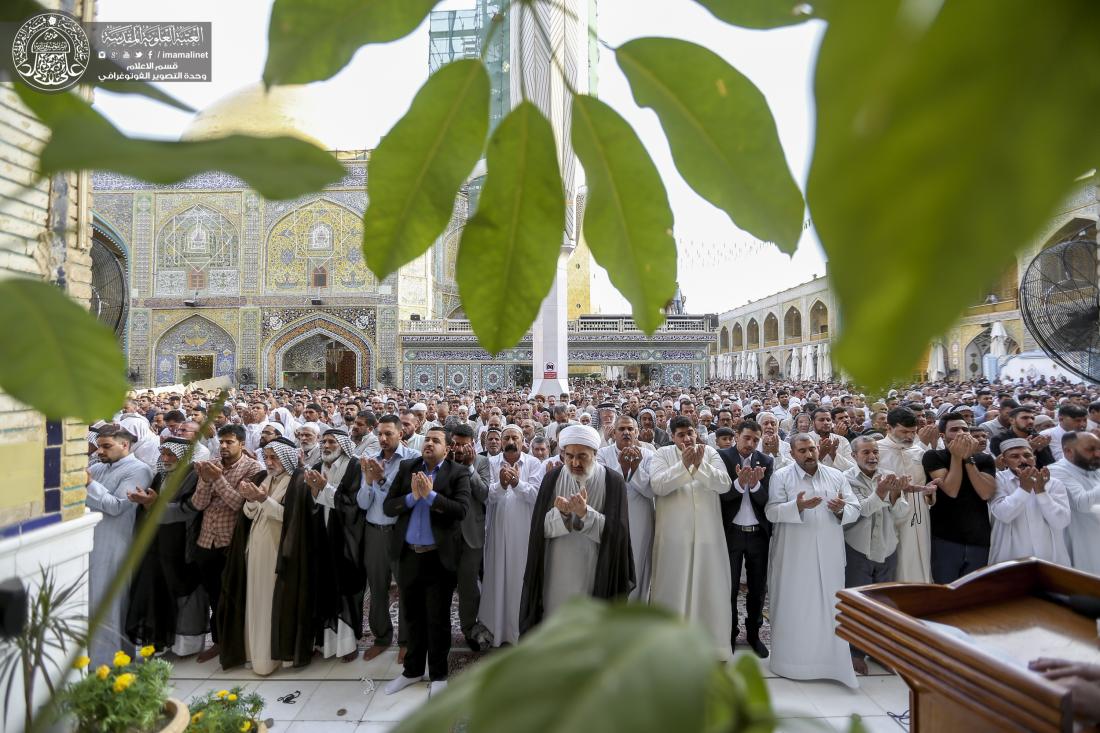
59	359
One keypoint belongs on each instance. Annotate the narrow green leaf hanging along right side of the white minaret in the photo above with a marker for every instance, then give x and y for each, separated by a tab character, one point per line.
628	220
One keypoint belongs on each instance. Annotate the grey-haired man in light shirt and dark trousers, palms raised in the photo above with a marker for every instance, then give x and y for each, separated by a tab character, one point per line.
872	542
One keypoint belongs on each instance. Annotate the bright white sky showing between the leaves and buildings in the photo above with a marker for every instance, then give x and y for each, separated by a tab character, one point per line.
720	267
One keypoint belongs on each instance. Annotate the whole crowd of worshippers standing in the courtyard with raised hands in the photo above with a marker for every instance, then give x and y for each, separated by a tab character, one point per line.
298	511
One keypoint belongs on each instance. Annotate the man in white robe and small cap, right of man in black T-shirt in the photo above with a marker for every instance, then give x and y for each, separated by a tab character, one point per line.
1030	510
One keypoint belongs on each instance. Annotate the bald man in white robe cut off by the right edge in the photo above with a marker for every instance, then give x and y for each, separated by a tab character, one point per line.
1080	471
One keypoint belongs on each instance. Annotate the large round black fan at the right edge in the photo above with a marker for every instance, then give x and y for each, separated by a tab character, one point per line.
1061	305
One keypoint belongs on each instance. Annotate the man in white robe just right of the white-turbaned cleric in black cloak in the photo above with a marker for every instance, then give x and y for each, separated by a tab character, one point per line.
630	458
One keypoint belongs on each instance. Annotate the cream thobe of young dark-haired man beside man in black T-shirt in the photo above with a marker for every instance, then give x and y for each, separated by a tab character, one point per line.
914	524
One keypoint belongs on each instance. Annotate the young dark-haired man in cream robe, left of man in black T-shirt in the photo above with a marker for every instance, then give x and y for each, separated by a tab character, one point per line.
899	454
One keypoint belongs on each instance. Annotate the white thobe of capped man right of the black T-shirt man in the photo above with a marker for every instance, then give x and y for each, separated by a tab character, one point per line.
1028	524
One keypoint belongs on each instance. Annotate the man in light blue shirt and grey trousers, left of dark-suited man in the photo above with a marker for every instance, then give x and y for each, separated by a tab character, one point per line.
379	475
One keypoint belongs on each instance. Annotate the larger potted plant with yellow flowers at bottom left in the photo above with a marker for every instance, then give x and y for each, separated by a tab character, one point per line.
125	698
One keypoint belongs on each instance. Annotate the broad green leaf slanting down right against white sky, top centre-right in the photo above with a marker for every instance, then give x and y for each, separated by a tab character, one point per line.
722	134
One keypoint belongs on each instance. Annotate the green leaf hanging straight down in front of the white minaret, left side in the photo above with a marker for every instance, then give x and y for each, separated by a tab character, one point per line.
509	255
